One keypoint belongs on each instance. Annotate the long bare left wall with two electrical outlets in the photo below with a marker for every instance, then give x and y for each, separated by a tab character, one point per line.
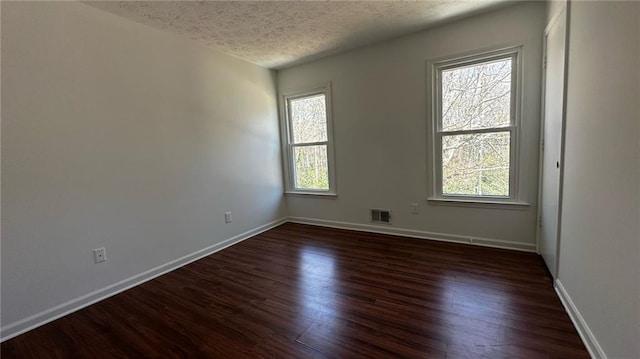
120	136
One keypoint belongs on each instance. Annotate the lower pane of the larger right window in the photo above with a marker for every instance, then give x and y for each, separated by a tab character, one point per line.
476	164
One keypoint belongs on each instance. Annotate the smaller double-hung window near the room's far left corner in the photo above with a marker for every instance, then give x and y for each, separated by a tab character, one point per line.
308	141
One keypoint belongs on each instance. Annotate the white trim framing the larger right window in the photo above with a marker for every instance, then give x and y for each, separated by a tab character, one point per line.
434	68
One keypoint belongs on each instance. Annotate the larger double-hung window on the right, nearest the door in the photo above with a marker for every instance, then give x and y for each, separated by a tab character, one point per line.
475	104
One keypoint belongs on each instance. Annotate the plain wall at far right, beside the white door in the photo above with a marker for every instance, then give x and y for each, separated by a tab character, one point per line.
599	244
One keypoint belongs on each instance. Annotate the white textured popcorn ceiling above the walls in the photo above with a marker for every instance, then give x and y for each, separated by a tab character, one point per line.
277	34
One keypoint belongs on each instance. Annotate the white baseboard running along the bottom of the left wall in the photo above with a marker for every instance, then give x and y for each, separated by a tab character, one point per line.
14	329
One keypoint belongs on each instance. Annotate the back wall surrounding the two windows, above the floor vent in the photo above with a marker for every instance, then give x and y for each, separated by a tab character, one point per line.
380	127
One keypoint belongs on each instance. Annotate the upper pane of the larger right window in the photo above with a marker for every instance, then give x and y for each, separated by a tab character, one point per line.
477	96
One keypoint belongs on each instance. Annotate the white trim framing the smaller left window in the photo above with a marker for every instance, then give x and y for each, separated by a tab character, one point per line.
287	142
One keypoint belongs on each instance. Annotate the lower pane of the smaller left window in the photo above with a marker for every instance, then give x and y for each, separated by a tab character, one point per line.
311	168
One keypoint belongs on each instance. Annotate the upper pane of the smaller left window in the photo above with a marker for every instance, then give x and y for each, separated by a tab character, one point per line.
308	119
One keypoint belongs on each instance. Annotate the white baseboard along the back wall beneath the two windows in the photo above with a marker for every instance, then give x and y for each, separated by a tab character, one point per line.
384	229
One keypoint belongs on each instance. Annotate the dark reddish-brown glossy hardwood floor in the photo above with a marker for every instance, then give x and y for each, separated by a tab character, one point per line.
300	291
